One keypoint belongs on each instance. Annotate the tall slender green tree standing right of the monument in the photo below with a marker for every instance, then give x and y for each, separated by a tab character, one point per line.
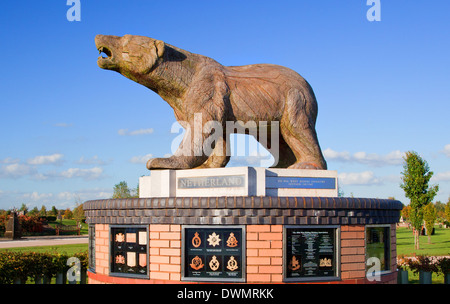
416	176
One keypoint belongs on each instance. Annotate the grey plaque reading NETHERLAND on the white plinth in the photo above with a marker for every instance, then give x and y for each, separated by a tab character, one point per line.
225	181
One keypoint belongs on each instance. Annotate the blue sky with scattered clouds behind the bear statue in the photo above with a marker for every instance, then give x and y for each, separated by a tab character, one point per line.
70	131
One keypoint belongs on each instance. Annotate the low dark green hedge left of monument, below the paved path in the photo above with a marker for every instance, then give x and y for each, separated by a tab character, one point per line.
17	265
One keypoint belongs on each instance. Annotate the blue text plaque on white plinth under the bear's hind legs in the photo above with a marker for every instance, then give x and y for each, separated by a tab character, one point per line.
300	182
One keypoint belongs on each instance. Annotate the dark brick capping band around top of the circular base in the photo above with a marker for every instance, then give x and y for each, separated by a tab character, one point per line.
242	210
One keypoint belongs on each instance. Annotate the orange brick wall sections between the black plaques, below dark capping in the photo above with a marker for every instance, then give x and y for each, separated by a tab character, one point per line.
264	261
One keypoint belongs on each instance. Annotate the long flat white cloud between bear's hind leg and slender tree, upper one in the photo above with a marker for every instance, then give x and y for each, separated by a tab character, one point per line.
371	159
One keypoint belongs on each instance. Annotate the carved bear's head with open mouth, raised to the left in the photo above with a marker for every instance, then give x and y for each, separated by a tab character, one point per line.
129	55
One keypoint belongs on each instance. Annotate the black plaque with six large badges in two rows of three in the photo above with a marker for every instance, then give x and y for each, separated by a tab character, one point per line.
213	253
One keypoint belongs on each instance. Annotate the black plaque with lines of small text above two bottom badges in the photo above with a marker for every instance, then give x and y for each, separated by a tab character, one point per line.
310	253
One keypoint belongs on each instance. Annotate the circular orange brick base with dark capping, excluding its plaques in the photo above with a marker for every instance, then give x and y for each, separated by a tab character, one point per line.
263	218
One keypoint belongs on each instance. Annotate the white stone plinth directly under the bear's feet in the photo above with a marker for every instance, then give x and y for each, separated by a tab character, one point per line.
239	181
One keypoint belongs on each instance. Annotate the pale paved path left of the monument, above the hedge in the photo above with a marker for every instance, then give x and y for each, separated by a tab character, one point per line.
43	241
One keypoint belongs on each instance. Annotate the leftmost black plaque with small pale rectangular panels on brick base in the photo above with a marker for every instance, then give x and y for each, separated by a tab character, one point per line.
129	252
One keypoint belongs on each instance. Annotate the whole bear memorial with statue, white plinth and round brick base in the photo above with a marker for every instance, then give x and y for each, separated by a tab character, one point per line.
197	221
